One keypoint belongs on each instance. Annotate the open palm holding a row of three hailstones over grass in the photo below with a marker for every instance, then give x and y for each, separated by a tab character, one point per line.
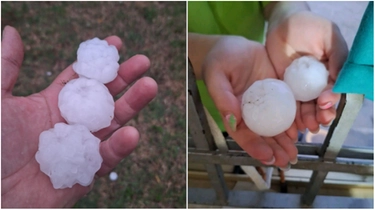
24	118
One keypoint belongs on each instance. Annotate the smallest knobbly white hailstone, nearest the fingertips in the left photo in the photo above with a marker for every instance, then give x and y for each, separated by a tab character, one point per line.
97	60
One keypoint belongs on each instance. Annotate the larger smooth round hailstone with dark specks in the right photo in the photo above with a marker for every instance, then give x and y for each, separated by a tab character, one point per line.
268	107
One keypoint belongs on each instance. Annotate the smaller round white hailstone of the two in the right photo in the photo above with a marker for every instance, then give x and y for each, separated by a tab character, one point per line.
307	77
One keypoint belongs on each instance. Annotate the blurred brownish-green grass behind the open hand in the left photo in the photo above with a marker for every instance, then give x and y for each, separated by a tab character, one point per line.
154	175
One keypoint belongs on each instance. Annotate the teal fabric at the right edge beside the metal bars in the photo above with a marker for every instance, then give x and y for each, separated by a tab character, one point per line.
357	75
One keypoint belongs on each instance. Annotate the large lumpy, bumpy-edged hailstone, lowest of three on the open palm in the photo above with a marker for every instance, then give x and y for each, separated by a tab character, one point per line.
68	154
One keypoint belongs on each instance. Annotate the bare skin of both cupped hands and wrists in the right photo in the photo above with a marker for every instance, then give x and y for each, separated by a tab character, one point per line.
229	69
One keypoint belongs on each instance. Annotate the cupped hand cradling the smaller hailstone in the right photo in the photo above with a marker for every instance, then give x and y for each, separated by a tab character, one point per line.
304	33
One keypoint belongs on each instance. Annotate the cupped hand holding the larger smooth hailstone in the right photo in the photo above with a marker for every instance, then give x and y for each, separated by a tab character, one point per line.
231	66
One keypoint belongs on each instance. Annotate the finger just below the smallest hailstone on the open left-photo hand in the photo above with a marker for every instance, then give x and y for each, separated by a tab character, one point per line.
129	71
